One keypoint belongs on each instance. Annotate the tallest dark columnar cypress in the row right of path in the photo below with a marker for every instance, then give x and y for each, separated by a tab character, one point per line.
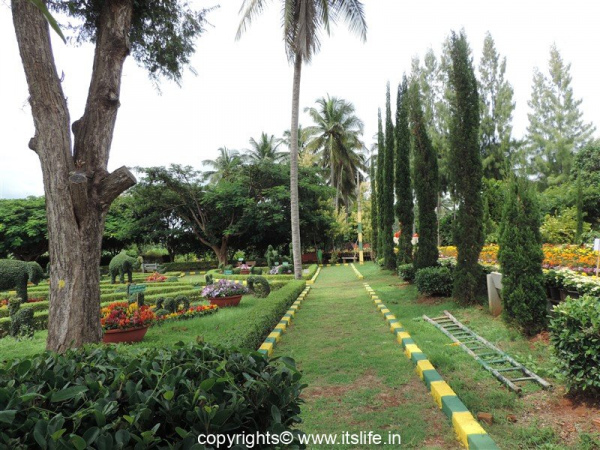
465	170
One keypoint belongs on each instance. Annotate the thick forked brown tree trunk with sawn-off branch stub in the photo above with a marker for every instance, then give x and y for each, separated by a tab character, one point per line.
78	187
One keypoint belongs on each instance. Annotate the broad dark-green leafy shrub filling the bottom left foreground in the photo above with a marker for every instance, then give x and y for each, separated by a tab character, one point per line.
153	398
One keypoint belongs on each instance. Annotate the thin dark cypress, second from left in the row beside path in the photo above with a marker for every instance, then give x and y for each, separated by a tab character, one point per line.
388	186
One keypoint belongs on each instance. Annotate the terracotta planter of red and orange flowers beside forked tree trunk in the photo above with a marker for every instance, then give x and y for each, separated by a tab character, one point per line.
124	322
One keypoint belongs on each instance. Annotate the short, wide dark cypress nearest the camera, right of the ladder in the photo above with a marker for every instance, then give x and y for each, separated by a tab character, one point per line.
521	256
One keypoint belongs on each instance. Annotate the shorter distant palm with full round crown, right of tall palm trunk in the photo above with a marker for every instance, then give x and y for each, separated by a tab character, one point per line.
335	138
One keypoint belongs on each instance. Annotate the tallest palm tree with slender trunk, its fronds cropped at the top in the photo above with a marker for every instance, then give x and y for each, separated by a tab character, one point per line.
302	22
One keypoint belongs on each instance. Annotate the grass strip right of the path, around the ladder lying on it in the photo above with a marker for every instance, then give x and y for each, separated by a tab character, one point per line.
477	388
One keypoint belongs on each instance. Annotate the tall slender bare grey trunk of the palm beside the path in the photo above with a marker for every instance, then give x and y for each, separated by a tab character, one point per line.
295	213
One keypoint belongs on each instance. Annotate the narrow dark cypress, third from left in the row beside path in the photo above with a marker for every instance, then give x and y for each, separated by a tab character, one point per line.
404	201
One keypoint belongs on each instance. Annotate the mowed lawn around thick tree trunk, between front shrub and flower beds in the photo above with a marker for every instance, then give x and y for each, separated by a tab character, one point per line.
228	327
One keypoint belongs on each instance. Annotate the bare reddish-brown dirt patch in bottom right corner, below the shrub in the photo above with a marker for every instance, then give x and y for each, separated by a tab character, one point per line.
567	415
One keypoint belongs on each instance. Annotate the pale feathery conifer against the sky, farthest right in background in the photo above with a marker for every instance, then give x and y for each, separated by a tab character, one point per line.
556	129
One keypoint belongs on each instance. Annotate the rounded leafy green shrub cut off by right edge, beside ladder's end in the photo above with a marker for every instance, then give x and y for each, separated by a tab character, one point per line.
575	335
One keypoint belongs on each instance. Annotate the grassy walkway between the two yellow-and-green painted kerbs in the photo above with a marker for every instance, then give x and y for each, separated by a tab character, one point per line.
358	378
